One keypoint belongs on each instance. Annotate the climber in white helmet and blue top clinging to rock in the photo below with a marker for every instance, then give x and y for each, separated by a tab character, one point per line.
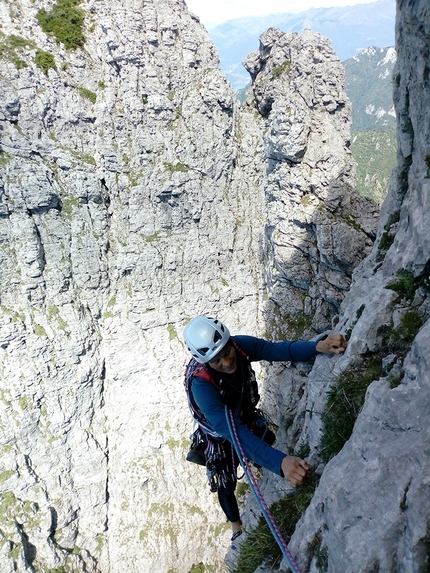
220	373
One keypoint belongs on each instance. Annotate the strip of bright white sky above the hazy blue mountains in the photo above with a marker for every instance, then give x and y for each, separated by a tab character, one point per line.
213	12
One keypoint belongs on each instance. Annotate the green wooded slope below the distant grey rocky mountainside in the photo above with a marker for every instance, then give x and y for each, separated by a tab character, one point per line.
375	154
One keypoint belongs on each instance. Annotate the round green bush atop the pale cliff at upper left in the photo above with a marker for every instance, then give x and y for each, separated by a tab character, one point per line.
64	21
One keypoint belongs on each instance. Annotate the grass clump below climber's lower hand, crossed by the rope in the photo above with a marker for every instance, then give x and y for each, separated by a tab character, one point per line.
260	543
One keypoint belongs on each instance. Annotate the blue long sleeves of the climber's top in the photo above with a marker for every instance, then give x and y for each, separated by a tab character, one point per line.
210	403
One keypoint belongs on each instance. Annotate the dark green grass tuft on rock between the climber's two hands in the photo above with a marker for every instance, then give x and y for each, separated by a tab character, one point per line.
345	400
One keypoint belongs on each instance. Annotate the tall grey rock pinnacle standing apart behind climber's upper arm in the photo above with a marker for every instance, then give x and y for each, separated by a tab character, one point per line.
317	226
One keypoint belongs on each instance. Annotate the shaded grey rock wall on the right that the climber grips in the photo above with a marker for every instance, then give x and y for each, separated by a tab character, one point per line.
371	510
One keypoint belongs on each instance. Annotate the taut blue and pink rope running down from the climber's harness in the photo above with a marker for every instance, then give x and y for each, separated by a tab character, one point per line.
273	526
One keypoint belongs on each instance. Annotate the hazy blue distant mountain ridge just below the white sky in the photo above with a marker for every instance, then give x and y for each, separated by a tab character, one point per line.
350	29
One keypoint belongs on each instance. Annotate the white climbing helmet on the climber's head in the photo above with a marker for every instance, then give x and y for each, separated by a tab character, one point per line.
205	337
